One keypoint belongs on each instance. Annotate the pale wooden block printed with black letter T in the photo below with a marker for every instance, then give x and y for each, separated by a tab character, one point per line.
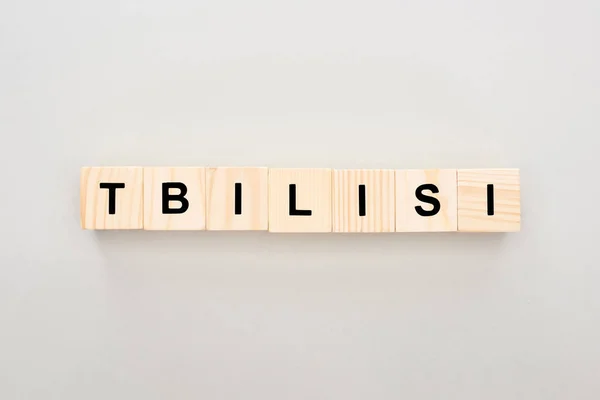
111	197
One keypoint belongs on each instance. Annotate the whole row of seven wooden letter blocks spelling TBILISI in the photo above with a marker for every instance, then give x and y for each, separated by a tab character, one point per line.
300	200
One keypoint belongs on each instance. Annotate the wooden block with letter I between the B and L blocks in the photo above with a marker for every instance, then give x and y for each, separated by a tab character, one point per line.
237	199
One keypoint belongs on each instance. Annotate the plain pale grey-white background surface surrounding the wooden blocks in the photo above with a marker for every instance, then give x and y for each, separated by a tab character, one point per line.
328	83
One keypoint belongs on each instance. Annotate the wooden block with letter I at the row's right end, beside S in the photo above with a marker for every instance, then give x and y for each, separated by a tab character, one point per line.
489	200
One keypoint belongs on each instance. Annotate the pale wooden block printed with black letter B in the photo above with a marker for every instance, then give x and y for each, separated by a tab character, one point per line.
174	198
